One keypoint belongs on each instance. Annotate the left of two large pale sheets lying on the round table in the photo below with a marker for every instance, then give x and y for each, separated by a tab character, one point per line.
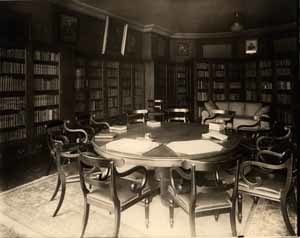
131	146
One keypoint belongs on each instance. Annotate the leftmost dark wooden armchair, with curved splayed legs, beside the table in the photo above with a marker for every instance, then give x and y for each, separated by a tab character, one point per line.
64	150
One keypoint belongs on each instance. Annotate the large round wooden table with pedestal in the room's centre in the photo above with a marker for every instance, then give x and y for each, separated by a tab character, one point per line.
162	158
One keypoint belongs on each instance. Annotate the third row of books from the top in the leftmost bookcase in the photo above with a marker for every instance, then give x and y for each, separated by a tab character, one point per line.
10	83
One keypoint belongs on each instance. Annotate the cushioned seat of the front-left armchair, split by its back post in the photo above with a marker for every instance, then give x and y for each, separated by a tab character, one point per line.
101	194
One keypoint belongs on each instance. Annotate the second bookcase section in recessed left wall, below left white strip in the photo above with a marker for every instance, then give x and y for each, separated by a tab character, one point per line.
96	88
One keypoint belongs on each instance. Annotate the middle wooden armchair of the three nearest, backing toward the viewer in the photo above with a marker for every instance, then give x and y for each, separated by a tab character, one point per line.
197	200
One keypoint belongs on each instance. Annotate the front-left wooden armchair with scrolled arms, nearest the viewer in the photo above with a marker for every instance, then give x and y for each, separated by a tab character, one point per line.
111	189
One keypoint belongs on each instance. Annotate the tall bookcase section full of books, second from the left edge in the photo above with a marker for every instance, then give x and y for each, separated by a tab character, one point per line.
46	98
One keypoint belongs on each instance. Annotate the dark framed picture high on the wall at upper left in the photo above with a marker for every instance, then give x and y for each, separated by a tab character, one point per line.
68	28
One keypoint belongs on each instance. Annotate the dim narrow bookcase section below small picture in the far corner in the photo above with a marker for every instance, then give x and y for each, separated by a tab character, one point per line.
182	85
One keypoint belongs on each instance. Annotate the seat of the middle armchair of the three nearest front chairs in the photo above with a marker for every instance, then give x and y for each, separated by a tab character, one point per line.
205	201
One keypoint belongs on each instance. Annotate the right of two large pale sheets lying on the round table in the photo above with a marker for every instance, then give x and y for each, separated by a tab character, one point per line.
192	147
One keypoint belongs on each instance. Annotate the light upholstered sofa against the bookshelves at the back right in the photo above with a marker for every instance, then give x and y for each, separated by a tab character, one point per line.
246	113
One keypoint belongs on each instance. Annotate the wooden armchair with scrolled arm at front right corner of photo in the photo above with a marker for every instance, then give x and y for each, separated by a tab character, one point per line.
271	177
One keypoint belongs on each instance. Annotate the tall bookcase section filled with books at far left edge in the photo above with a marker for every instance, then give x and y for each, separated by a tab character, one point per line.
13	95
